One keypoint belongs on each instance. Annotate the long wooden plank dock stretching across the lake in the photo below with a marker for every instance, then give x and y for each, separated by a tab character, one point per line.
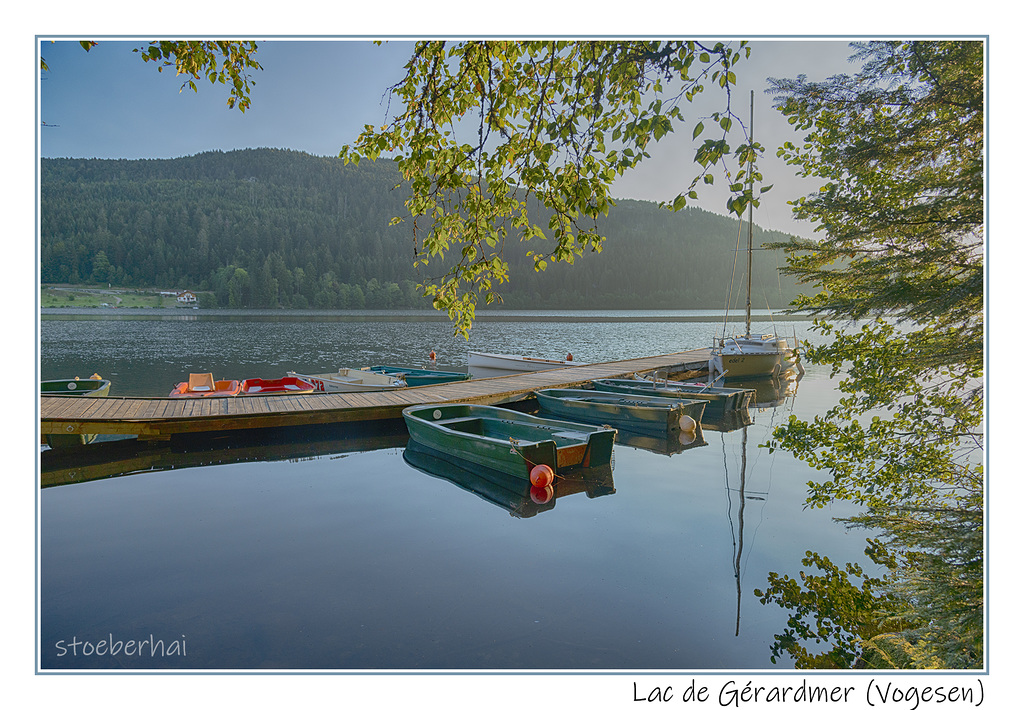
161	419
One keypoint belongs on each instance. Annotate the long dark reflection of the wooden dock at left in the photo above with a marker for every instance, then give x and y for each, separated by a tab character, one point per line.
125	457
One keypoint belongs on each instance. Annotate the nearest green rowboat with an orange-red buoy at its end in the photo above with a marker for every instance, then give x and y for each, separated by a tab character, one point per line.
523	445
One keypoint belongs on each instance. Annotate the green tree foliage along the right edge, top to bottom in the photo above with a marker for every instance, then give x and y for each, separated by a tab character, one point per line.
901	149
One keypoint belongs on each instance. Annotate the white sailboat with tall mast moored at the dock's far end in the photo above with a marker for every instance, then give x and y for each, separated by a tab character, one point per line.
751	355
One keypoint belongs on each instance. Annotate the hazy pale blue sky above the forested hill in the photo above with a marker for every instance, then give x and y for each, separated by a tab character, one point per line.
316	96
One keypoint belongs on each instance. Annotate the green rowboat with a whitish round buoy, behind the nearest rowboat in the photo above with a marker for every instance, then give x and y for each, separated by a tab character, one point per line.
641	413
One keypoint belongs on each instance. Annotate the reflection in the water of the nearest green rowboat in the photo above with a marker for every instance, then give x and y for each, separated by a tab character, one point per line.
509	492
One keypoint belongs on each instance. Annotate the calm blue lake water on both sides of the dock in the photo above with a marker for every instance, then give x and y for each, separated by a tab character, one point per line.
337	553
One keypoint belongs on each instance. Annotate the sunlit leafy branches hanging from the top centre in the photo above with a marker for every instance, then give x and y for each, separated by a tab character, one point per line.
506	140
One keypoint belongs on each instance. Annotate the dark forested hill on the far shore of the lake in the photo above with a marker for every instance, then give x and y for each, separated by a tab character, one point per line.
271	228
